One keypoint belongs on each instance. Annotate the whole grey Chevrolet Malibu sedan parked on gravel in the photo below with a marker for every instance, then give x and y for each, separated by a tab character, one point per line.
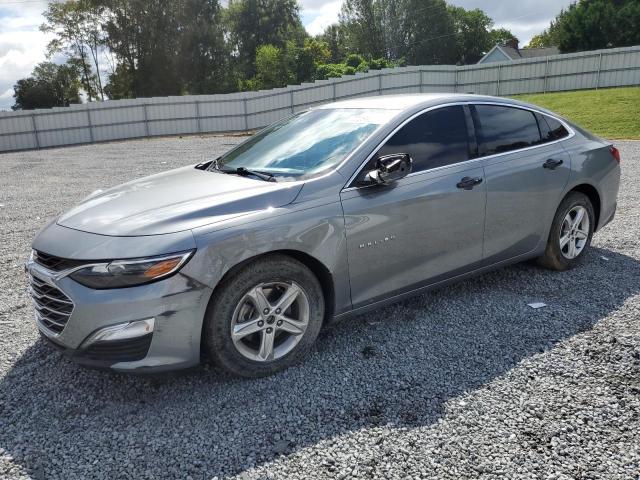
329	213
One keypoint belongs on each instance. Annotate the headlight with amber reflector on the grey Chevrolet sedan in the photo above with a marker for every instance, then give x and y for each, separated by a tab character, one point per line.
129	273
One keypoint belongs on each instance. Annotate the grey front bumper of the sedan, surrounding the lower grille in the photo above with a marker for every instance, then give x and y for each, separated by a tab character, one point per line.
162	322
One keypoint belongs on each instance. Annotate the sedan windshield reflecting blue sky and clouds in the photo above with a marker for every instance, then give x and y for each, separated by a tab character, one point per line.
305	144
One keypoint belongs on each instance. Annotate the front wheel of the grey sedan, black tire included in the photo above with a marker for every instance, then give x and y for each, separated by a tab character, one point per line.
238	305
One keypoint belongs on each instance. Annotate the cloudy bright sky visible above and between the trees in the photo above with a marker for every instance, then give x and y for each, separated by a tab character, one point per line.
22	45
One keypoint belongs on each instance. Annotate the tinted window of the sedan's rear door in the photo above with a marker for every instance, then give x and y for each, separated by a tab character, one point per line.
502	129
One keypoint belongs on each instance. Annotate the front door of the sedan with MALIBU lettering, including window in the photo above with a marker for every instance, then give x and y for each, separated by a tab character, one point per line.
422	228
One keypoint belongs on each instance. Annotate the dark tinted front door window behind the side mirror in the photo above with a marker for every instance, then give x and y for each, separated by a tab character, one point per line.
434	139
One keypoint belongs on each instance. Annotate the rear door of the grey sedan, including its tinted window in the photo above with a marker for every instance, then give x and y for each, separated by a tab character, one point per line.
526	172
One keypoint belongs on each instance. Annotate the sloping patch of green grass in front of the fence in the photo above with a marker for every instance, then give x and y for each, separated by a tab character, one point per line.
612	113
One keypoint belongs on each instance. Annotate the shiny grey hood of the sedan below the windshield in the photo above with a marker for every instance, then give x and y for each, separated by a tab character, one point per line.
174	201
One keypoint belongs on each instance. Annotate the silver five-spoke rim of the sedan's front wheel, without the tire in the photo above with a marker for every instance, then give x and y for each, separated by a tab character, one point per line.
270	320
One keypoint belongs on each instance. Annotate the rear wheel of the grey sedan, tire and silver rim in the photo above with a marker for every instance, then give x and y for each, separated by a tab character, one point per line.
558	254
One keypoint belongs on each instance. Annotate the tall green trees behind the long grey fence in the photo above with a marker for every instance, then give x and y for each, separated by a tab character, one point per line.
141	48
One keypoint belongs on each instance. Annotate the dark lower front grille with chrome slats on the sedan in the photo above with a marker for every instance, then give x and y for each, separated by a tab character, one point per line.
53	307
